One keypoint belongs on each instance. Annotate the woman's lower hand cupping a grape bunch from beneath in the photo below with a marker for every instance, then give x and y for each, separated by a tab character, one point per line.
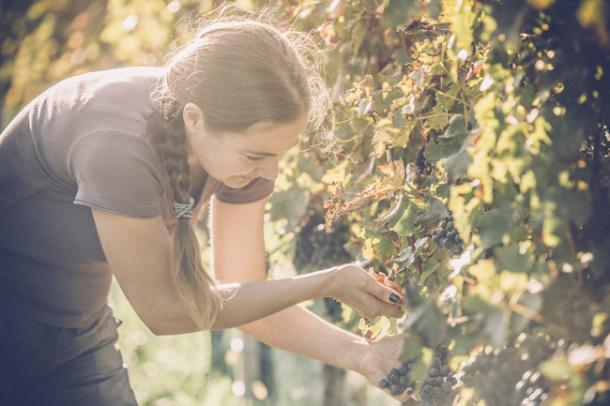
380	357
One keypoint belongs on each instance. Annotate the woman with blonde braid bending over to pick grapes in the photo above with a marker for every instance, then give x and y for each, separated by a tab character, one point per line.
106	171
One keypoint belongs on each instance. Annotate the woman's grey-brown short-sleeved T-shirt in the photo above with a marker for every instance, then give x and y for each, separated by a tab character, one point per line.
80	145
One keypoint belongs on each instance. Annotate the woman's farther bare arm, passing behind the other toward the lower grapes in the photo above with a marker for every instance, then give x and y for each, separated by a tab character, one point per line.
295	329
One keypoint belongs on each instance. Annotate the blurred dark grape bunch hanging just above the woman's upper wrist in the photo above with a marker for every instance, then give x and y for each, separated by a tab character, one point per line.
316	247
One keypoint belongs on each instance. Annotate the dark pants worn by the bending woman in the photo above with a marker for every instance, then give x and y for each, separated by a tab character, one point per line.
46	365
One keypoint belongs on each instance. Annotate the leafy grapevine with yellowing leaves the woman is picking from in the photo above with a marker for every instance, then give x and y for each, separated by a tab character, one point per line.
499	118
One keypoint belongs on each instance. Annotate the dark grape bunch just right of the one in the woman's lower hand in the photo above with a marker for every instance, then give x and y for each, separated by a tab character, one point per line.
437	388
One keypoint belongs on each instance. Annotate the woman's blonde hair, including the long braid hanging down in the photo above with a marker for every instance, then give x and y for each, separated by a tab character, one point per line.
239	71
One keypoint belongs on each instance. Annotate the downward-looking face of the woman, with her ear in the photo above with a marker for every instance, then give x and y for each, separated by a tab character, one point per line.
235	159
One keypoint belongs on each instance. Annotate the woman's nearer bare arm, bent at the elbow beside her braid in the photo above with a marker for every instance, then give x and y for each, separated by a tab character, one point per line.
138	252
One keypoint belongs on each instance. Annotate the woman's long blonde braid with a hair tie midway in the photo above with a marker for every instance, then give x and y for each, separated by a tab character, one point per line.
193	284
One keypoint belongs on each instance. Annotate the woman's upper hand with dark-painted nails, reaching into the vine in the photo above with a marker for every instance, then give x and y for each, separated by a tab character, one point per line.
364	292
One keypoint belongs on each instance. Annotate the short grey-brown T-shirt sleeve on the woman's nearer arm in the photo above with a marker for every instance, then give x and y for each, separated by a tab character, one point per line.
116	172
